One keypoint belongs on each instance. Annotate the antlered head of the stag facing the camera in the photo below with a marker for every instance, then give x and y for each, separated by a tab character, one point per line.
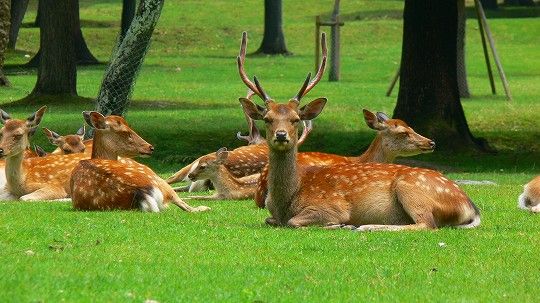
281	119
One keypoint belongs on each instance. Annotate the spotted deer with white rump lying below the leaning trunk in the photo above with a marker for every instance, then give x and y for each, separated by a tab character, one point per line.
105	183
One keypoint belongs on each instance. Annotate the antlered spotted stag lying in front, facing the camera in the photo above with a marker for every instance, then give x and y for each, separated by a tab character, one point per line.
367	196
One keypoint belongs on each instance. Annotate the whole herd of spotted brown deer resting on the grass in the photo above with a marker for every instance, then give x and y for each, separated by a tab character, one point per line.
364	193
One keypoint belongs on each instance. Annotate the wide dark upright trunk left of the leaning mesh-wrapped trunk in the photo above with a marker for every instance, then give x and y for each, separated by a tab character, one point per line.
57	73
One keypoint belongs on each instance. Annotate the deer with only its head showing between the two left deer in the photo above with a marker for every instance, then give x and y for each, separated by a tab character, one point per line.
69	144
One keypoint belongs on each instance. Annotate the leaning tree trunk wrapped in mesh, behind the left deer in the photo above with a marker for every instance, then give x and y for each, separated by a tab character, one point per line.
120	76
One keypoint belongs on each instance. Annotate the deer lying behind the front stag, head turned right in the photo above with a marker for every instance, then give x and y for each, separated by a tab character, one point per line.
394	139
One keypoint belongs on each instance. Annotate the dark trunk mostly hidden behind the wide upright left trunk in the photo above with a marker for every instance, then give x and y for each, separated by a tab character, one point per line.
82	53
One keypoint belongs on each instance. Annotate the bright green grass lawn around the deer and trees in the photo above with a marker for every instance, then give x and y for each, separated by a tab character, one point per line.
185	103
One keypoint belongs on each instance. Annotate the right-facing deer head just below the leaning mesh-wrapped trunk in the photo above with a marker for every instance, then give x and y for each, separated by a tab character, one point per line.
113	133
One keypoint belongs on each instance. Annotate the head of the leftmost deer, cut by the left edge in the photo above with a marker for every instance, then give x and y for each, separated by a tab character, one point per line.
16	133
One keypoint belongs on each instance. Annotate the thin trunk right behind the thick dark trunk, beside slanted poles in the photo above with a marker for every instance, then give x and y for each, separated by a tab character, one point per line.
463	86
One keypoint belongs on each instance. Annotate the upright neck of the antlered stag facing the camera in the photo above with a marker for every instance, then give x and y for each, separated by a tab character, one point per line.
283	184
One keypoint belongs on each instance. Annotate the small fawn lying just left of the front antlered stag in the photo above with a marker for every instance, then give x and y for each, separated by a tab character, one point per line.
228	187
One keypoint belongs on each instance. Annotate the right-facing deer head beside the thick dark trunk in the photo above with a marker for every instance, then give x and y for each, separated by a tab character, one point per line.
397	137
